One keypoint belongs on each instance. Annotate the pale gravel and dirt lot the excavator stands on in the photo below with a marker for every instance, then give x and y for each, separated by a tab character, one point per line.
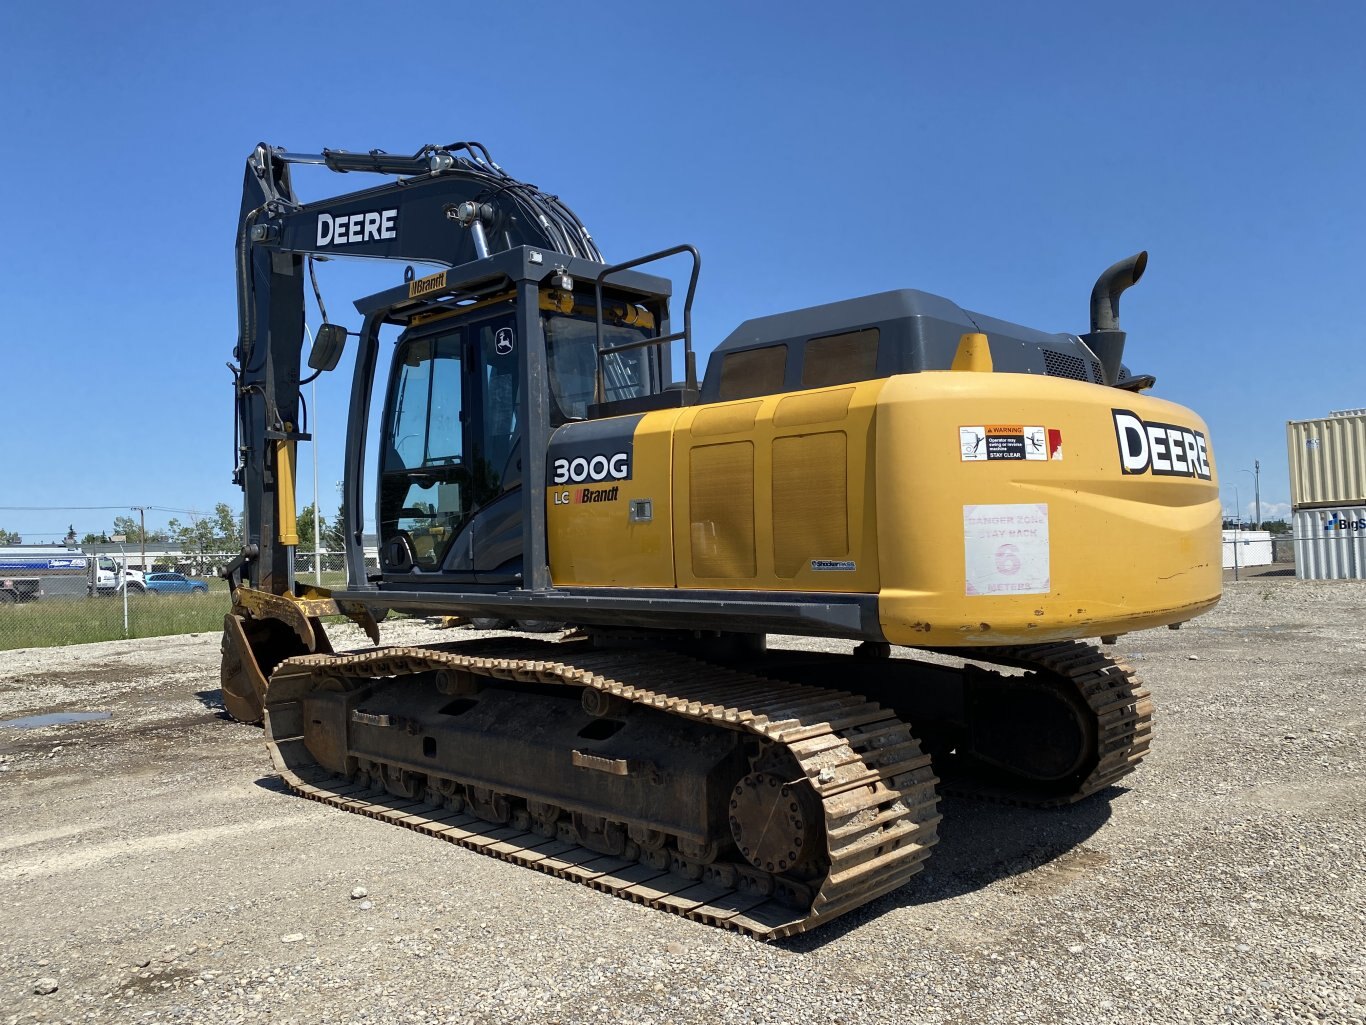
154	871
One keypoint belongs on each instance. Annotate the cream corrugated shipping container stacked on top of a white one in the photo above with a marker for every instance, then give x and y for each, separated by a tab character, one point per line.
1328	461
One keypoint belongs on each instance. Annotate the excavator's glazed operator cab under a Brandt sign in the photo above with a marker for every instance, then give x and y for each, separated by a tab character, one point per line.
456	412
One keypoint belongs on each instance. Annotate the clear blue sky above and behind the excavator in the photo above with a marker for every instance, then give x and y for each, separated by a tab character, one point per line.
998	154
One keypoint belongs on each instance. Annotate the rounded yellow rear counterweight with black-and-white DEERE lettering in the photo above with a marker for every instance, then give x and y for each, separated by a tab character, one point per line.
1017	508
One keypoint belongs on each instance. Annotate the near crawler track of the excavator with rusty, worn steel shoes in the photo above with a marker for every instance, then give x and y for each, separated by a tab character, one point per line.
863	774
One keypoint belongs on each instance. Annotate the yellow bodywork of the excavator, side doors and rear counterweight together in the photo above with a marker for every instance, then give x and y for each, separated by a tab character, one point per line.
979	508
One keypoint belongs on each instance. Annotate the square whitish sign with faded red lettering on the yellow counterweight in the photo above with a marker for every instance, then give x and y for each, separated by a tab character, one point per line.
1006	550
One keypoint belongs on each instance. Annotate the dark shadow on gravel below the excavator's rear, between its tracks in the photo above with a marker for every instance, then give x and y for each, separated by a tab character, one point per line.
980	844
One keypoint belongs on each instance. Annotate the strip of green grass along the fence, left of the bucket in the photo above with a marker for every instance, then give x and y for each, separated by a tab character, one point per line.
55	621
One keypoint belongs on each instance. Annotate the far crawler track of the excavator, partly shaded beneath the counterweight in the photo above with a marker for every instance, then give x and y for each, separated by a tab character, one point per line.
1121	706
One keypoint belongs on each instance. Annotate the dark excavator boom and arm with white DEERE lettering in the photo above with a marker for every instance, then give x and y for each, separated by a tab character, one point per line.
442	206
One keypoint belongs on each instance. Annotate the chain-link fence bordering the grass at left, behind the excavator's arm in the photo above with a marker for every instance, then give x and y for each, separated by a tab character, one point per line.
79	599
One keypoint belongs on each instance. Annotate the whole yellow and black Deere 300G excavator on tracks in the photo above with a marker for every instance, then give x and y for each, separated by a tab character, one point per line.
890	471
